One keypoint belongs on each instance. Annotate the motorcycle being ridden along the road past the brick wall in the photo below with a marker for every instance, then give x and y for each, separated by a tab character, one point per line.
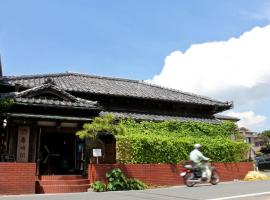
193	175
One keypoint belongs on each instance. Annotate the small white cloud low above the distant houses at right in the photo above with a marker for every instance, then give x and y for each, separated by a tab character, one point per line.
248	119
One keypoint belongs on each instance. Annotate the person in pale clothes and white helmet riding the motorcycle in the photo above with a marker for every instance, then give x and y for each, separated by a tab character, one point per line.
200	161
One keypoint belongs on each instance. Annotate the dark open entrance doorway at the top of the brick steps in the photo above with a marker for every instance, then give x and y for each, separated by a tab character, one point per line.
57	153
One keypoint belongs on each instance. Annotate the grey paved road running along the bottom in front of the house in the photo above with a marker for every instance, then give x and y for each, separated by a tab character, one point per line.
257	190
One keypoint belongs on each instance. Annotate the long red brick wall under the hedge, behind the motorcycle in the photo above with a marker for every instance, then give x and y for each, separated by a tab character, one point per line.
165	174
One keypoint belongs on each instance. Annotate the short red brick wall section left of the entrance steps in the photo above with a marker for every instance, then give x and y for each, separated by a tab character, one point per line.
17	178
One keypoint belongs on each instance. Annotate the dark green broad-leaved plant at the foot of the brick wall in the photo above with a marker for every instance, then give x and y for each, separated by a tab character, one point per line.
117	181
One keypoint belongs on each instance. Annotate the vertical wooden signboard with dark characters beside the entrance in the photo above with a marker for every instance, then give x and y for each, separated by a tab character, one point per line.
23	143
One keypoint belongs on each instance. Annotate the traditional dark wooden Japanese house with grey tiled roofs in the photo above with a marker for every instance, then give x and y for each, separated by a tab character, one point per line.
40	125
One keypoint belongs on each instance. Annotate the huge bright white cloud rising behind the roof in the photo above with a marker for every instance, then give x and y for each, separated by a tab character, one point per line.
237	69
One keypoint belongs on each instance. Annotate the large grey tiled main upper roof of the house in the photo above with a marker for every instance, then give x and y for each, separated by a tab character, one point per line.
114	86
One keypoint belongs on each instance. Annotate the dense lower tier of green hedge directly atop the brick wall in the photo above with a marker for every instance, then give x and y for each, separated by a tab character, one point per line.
138	148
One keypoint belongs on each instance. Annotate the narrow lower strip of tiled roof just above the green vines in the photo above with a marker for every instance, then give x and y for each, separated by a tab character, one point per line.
148	117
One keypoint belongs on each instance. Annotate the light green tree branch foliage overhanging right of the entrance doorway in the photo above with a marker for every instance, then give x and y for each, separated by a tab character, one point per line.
107	123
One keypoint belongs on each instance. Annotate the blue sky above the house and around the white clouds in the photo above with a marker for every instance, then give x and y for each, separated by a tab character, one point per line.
123	38
